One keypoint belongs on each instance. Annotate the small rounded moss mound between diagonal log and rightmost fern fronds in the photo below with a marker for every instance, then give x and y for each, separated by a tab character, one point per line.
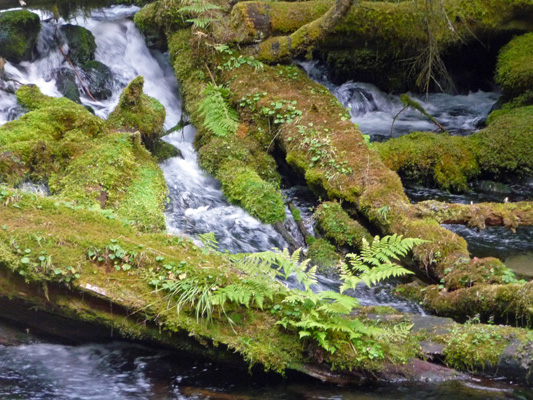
337	225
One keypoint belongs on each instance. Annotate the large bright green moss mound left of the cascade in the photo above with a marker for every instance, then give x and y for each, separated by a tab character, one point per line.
62	144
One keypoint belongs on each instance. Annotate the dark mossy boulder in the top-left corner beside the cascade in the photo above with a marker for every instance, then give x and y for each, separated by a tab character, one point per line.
18	35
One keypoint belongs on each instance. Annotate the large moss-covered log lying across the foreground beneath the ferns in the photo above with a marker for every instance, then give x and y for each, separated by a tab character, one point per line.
71	289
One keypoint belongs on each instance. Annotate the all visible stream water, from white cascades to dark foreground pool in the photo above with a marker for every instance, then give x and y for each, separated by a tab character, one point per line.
40	370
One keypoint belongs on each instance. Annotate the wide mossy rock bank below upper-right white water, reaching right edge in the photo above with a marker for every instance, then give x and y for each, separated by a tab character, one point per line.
502	150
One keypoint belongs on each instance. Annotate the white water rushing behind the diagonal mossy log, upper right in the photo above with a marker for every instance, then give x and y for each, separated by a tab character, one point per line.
374	110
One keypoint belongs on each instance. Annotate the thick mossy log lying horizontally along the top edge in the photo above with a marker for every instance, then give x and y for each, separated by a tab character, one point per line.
399	24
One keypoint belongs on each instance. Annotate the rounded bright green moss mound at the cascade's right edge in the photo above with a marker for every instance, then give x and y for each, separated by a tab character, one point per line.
243	186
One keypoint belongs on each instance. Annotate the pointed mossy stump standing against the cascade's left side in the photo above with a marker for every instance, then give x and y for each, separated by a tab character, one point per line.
138	112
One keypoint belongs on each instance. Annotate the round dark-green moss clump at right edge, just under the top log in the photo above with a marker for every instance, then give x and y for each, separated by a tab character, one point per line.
514	71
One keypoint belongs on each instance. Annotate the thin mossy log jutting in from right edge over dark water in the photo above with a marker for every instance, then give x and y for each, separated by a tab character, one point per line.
510	215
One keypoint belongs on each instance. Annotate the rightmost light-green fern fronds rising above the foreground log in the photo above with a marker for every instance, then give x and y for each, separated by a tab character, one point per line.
376	263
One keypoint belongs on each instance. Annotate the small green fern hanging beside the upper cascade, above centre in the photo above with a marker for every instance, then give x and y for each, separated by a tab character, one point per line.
219	117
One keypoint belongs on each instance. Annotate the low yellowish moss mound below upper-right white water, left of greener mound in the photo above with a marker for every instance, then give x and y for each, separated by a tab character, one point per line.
431	159
